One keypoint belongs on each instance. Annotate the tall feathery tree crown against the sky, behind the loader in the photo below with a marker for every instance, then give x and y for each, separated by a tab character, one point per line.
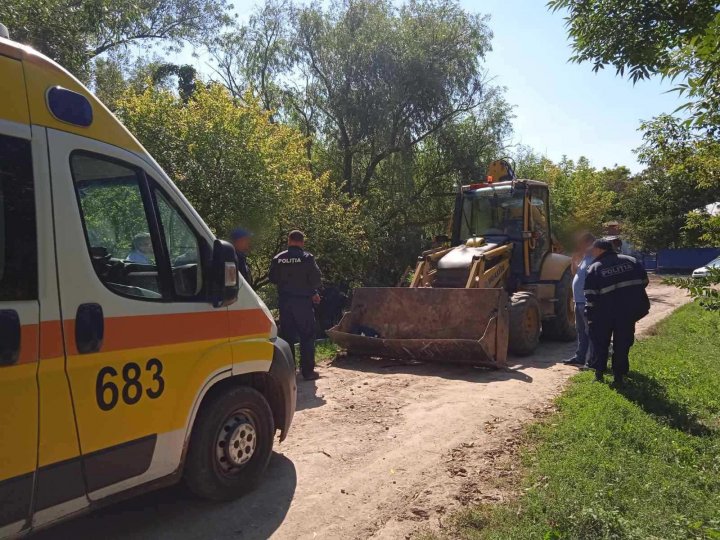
382	79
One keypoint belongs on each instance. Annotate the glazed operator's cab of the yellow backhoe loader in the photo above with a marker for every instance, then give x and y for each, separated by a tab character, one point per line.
515	212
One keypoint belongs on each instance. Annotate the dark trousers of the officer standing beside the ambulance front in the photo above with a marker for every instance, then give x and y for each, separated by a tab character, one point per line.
297	324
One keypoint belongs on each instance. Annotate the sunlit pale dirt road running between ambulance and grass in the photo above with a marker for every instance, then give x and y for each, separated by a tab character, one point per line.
377	450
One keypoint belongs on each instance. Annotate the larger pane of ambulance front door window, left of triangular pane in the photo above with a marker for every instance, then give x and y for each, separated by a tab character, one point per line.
113	210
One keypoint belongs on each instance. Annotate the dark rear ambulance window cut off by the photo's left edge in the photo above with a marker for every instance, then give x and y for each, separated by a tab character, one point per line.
18	234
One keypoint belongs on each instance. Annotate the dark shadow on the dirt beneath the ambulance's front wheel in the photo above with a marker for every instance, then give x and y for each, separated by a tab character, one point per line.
173	513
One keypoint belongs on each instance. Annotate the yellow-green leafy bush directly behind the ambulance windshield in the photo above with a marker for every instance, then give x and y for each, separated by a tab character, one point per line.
237	167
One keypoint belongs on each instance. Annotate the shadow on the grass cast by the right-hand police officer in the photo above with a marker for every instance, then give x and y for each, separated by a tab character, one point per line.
652	398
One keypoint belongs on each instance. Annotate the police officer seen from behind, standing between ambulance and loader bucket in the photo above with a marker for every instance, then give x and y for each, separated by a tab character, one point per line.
298	279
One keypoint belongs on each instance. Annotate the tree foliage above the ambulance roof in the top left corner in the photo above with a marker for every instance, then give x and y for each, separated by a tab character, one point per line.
74	32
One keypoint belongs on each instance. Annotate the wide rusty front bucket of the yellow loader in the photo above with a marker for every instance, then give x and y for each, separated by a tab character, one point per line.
435	325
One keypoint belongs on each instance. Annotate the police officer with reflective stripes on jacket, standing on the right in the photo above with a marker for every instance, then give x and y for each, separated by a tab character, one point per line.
615	300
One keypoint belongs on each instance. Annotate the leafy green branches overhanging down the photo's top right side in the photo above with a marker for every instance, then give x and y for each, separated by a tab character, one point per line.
665	206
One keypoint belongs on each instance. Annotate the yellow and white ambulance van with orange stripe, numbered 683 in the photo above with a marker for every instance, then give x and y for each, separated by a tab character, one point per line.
132	353
